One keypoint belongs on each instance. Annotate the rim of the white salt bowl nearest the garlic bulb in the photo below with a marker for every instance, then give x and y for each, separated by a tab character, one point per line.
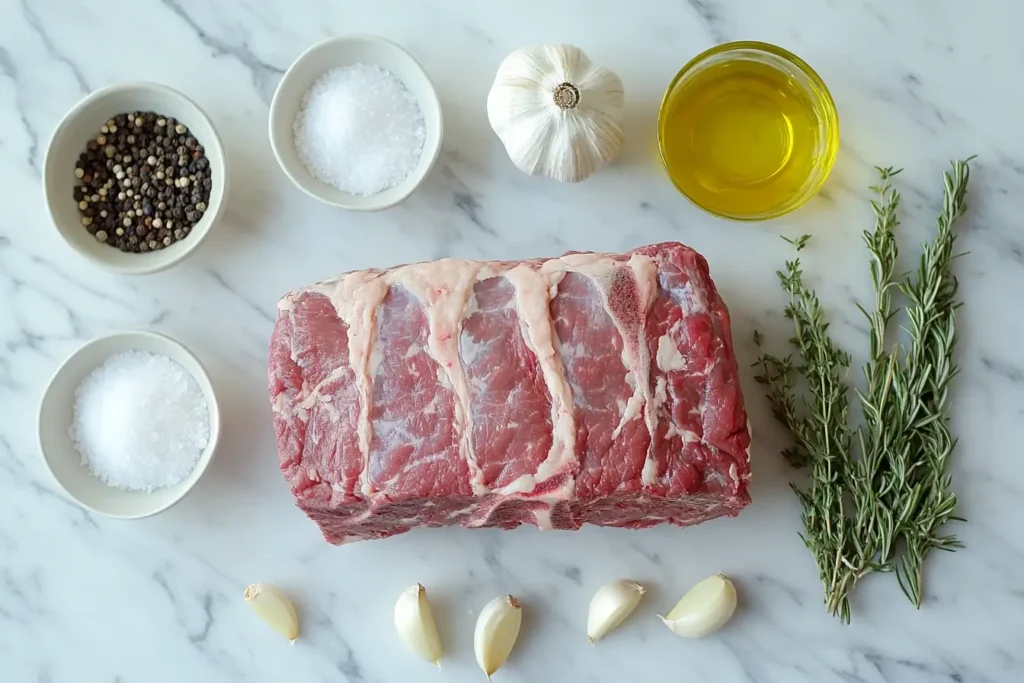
411	182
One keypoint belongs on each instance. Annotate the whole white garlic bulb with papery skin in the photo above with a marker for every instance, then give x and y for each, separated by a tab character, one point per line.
558	113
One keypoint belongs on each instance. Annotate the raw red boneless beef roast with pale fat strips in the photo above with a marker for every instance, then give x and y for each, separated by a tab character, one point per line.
591	389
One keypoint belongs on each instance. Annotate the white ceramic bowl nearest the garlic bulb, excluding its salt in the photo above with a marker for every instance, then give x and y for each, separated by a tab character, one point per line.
343	53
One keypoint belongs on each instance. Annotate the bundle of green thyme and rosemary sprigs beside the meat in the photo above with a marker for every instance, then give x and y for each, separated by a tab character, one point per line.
879	495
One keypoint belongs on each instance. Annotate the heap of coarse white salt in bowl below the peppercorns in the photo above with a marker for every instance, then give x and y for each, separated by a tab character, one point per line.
141	421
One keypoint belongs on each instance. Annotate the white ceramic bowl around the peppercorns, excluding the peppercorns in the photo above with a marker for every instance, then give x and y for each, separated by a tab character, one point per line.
82	124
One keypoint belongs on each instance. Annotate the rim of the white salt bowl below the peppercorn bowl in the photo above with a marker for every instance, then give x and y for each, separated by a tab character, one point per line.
214	407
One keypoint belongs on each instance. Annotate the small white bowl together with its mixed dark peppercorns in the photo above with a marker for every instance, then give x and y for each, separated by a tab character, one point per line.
135	178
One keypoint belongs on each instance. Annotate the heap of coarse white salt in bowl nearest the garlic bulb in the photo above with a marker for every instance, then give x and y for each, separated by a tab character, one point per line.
360	130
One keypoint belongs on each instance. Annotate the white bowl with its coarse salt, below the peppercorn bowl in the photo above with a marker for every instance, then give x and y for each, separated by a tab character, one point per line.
129	424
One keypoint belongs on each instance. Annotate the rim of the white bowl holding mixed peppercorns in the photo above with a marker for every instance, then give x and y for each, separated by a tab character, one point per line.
215	212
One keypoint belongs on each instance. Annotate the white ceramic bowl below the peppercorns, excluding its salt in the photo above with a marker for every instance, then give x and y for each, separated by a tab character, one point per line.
64	460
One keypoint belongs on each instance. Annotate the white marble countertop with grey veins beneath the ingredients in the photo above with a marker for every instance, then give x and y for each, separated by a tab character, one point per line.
83	599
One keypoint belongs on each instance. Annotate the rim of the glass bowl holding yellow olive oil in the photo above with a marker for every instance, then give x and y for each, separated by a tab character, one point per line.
822	91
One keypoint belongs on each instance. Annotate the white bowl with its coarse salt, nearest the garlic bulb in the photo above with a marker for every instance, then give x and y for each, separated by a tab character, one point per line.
356	123
